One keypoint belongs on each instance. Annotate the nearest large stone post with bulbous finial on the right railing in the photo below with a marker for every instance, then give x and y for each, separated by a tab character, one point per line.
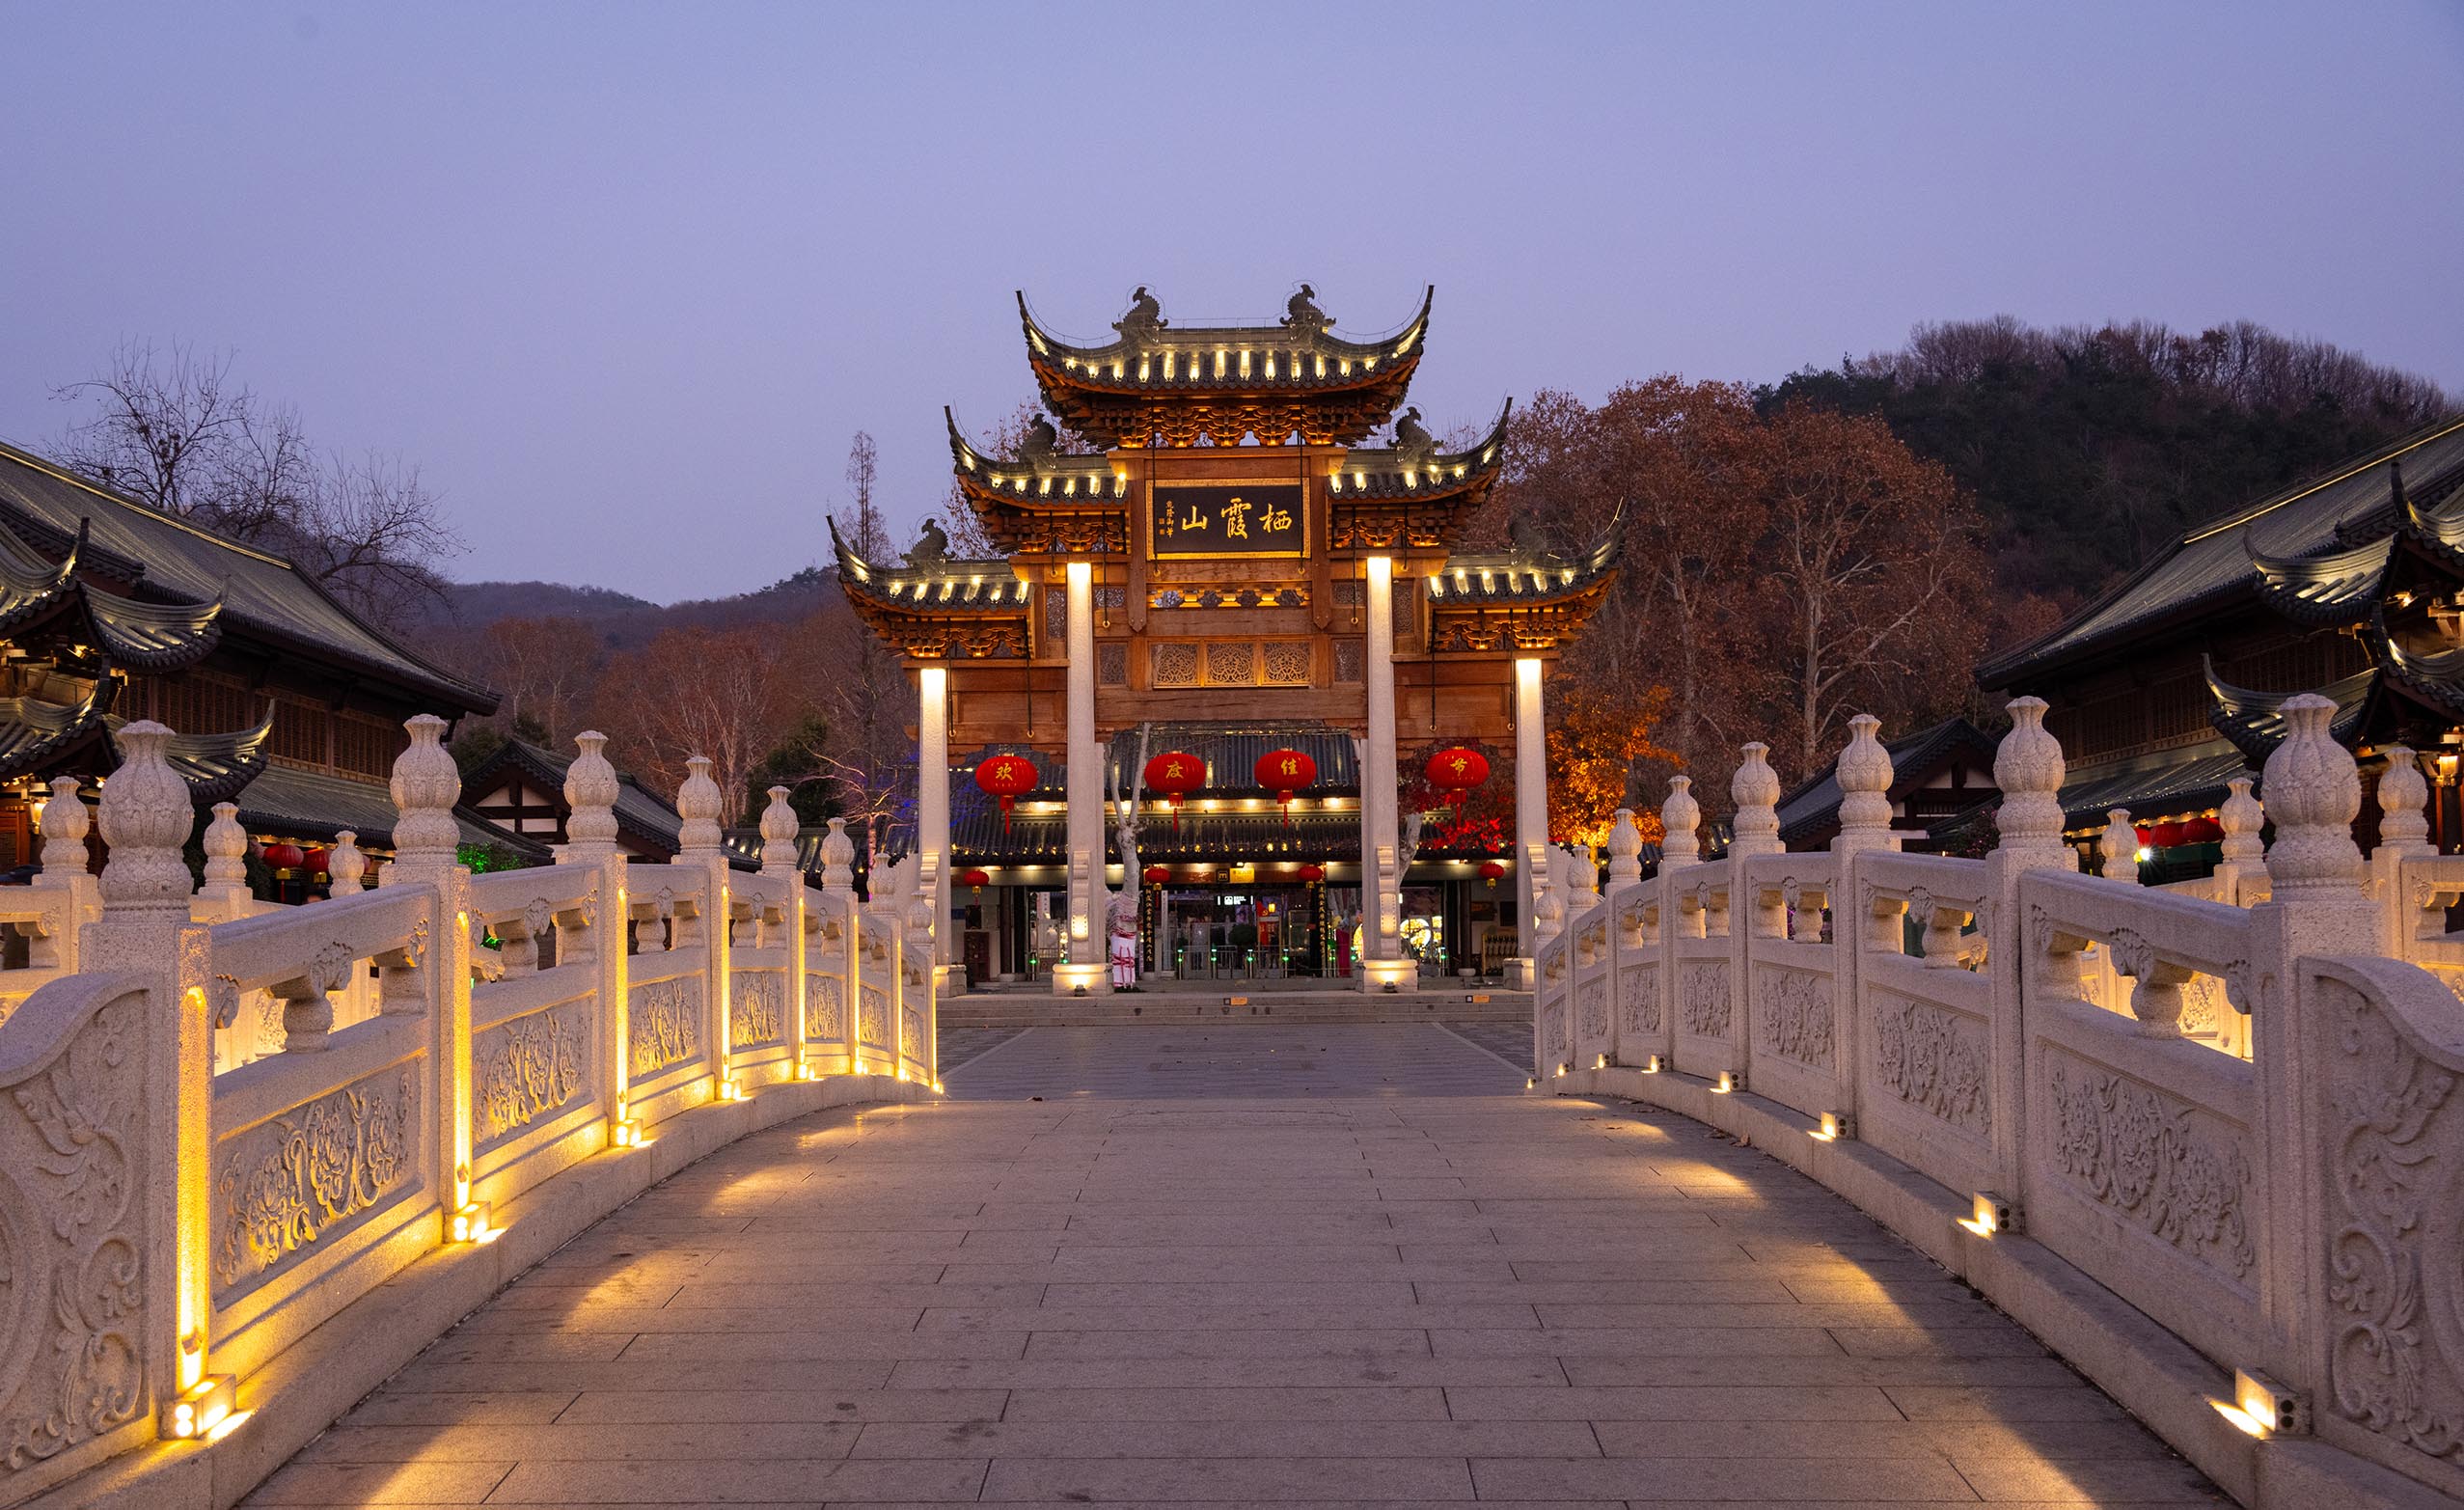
2315	905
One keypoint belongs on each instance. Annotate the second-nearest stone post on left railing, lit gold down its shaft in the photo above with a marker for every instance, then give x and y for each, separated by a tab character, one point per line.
425	789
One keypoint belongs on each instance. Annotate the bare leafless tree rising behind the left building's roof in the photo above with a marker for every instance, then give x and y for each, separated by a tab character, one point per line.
179	435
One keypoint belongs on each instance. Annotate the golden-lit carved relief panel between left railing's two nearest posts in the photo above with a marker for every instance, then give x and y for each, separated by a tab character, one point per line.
297	1179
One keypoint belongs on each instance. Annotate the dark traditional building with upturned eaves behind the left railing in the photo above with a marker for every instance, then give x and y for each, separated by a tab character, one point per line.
282	698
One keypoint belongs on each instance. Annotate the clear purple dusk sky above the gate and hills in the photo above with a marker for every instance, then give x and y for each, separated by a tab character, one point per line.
625	280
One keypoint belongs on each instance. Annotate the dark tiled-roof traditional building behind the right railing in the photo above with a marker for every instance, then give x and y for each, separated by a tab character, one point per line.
2170	686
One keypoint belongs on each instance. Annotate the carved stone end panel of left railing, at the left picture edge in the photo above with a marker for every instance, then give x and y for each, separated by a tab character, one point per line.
73	1245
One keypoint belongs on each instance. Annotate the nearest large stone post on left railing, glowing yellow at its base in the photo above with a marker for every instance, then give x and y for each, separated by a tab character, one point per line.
147	932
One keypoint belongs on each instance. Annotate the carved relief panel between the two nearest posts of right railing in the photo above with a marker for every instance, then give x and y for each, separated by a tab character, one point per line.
2152	1159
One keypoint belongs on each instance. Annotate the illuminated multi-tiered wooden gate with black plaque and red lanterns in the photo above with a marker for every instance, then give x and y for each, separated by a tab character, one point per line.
1209	563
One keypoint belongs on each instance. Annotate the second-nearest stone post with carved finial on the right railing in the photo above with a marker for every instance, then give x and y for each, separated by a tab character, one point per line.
2029	770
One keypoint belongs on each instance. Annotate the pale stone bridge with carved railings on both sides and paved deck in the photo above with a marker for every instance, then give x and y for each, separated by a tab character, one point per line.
1837	1179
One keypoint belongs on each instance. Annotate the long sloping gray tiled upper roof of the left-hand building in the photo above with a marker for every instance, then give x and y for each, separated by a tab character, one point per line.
191	565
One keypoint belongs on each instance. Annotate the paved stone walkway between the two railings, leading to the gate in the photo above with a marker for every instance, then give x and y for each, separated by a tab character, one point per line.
1342	1297
